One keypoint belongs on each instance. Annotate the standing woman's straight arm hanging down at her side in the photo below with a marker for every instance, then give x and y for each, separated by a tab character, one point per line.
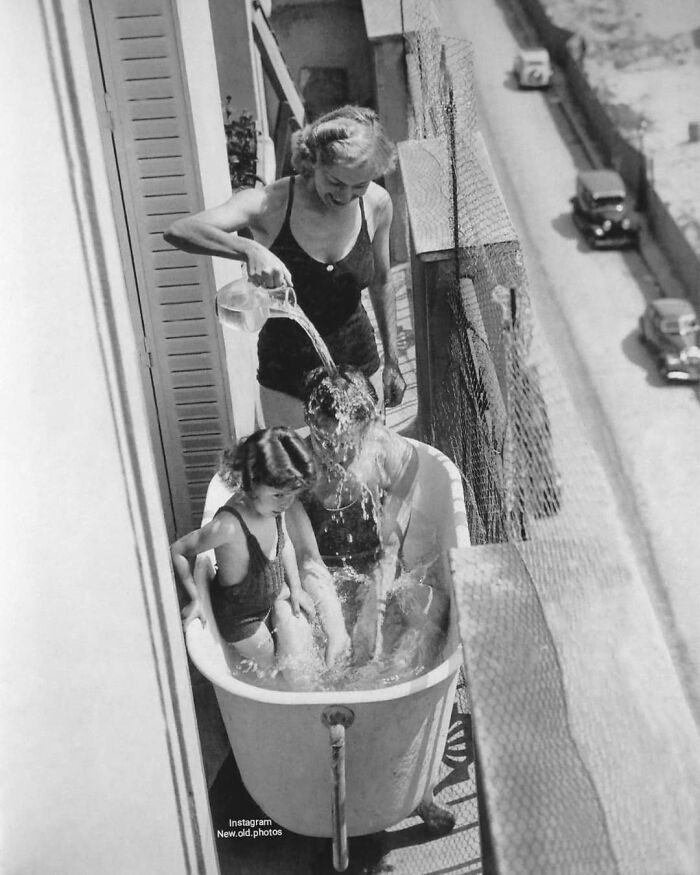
384	301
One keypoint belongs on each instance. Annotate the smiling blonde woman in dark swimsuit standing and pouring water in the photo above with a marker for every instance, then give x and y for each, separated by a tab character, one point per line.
325	231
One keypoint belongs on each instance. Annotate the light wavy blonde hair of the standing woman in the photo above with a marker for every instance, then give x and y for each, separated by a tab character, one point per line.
348	135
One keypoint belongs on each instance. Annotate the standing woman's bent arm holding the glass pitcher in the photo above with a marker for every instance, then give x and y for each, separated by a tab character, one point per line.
212	232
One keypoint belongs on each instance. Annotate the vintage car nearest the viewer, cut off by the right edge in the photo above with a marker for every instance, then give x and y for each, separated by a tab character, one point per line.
669	328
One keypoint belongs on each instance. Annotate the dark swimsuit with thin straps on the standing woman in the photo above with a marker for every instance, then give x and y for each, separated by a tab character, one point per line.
330	295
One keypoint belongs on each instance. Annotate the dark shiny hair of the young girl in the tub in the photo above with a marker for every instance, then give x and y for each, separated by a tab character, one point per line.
275	457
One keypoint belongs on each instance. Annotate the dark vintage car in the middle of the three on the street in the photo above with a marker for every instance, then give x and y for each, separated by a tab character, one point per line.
602	211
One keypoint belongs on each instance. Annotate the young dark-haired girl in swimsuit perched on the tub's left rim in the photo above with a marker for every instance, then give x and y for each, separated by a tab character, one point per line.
257	589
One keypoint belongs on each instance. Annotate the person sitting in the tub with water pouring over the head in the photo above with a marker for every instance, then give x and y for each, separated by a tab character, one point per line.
360	504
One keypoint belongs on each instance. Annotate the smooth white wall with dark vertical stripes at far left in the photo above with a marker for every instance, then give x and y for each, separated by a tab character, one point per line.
98	747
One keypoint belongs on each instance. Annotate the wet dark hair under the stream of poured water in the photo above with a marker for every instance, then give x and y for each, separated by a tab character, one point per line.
346	396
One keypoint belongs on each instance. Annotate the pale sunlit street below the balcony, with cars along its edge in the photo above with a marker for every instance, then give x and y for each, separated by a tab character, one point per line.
644	433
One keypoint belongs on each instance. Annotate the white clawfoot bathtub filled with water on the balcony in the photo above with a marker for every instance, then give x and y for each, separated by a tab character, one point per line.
395	743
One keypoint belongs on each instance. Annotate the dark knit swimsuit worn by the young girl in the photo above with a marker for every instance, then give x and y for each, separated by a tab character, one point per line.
240	609
